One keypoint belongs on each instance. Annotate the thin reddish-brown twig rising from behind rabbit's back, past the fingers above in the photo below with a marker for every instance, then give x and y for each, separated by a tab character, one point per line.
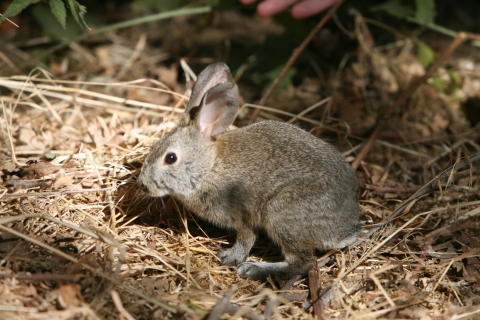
295	54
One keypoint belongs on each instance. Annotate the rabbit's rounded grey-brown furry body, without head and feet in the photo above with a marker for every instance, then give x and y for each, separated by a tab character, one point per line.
275	176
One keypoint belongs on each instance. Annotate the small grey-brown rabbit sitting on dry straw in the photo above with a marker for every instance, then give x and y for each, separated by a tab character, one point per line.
269	175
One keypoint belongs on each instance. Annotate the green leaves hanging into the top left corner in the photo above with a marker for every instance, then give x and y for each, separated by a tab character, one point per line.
58	8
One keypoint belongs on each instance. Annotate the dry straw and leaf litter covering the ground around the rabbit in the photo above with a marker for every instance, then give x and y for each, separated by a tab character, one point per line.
79	241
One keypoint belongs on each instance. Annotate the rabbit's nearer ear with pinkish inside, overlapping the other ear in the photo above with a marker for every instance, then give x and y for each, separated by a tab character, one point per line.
217	109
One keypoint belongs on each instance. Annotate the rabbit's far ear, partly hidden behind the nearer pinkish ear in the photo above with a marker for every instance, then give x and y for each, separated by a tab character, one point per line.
212	75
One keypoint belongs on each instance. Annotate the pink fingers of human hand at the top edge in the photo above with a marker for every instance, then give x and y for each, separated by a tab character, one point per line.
300	8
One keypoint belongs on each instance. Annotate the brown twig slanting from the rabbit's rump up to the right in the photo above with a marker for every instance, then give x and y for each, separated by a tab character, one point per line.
405	95
